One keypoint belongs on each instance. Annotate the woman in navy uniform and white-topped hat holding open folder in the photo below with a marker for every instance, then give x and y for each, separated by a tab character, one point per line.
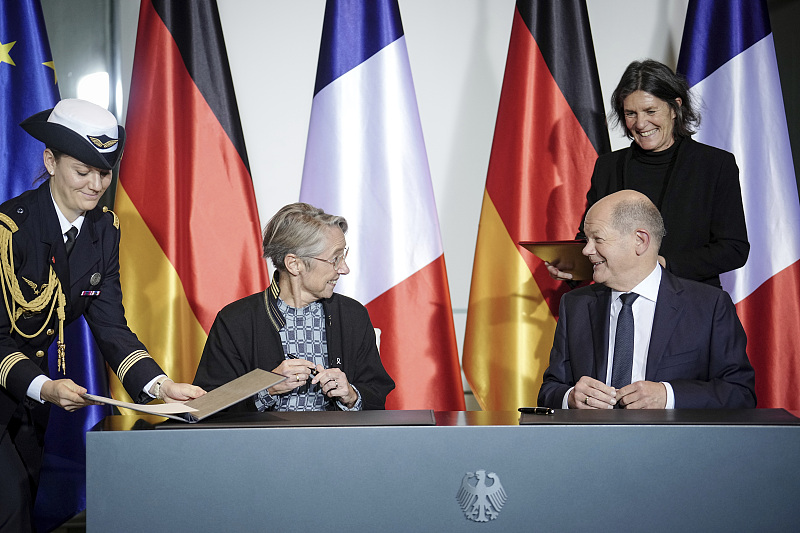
59	259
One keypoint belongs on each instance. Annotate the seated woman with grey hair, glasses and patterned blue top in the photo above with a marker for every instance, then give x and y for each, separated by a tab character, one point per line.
298	327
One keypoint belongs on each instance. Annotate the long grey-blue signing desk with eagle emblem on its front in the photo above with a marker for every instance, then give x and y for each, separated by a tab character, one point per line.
571	471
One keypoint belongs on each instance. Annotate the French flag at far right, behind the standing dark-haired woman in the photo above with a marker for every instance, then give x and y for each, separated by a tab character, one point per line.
728	56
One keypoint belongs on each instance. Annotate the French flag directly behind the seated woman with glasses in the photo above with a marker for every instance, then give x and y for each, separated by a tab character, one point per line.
366	160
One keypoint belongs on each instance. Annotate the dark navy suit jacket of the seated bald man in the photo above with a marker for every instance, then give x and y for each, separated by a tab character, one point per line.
697	345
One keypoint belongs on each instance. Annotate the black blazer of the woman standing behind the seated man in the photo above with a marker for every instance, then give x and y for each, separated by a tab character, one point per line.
702	209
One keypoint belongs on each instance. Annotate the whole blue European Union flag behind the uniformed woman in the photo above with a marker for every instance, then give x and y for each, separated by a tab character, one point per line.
28	85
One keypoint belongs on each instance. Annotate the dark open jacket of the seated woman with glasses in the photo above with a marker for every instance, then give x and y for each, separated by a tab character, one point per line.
243	338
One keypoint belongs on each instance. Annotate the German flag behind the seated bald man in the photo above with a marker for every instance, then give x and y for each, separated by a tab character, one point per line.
550	129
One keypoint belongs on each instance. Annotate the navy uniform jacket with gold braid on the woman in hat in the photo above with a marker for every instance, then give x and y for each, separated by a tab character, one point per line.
38	244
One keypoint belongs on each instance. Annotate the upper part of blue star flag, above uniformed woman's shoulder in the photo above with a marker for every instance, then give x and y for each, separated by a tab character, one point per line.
27	86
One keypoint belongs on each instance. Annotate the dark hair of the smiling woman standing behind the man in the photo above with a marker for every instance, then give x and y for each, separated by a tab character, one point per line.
657	79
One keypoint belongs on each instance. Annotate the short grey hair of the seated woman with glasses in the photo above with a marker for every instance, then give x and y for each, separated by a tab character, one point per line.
298	229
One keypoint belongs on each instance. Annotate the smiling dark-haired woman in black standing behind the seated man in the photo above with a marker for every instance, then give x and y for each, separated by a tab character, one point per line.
695	186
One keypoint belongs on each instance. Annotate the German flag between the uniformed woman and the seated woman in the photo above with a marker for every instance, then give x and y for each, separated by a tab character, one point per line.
190	230
